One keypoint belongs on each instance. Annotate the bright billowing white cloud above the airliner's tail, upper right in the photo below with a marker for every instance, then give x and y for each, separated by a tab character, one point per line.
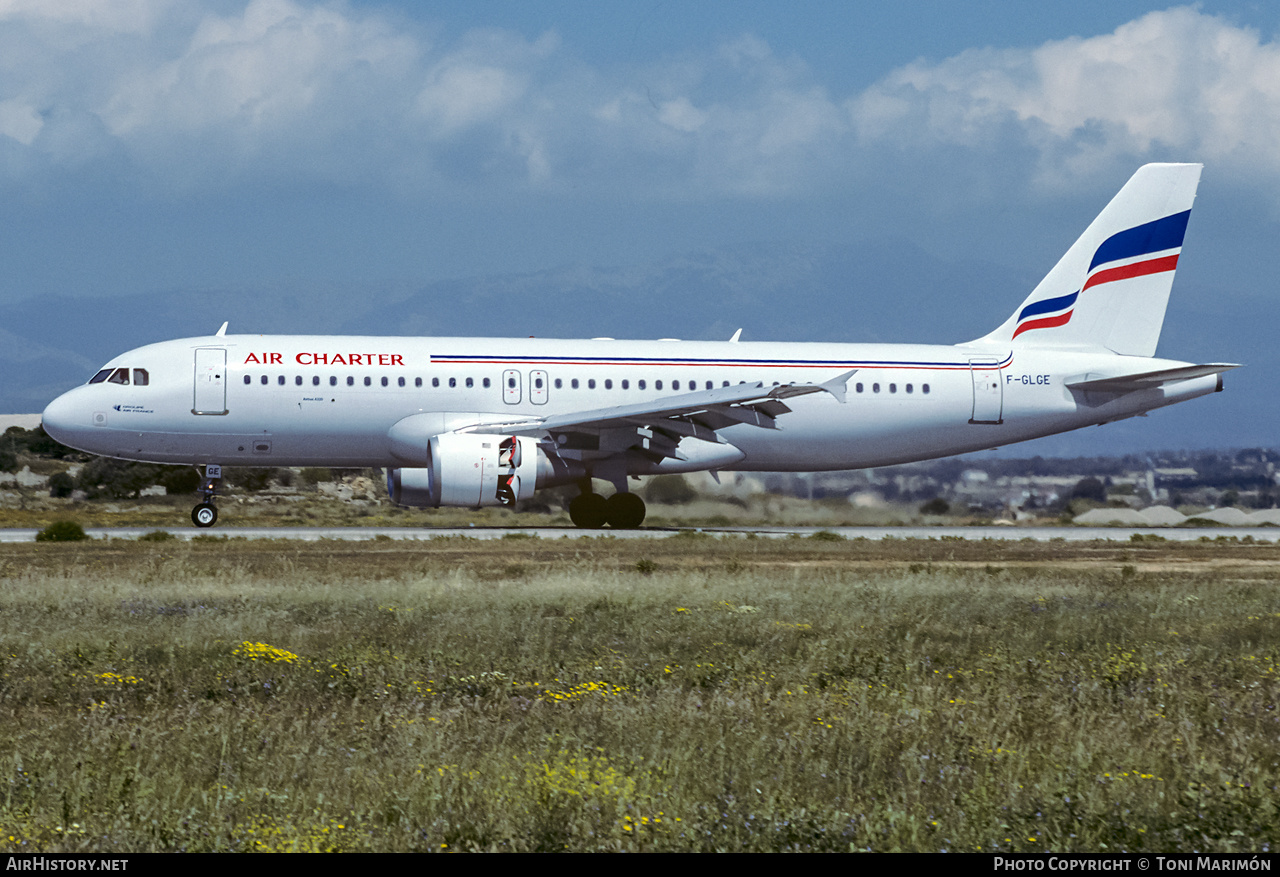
1176	84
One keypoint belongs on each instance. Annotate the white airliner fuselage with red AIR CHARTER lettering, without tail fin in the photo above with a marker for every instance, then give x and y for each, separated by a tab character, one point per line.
331	400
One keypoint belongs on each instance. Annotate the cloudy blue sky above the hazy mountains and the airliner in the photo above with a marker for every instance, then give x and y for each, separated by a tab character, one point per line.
166	145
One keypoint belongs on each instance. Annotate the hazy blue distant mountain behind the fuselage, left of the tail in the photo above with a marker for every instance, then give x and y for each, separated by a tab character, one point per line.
876	293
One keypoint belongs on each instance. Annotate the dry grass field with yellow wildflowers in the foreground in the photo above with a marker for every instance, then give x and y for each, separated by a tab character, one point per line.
673	695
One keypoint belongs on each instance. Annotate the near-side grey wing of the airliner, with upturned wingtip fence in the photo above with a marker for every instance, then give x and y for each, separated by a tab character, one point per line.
664	422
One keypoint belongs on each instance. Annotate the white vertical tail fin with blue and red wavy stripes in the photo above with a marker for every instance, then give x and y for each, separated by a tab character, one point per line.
1112	287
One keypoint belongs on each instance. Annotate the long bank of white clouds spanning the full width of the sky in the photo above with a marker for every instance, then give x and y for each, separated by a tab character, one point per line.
194	95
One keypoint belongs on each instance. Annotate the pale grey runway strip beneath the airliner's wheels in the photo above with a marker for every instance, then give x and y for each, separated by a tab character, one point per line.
423	535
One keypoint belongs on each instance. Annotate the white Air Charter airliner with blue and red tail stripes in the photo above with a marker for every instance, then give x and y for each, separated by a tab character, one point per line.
486	422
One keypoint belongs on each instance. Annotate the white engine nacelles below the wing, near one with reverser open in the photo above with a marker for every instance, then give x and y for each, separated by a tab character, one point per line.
472	471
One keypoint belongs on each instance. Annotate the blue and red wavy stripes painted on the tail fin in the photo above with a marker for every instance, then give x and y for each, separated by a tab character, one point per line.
1136	250
